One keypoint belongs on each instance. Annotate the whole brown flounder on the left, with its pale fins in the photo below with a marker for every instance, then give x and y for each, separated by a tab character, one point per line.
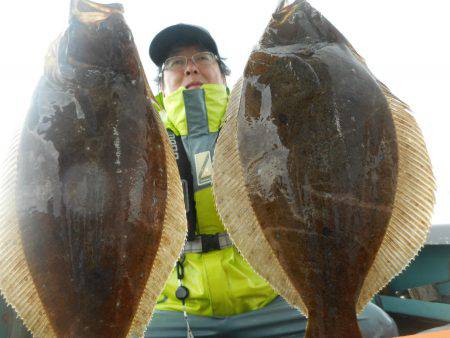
92	216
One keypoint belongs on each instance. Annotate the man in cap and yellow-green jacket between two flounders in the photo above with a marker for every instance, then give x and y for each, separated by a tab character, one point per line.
213	291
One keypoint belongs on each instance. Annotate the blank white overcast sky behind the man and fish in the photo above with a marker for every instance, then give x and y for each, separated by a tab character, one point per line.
404	43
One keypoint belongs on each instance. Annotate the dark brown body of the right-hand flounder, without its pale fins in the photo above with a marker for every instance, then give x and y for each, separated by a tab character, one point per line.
318	147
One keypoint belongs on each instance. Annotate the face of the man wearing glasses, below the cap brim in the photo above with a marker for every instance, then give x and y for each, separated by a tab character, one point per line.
193	76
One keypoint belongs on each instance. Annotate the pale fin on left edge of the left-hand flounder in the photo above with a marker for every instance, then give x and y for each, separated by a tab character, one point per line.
16	283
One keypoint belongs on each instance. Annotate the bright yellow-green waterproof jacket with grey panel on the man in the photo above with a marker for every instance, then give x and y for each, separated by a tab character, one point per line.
220	282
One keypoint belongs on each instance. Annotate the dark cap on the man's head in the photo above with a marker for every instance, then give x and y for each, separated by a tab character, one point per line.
171	36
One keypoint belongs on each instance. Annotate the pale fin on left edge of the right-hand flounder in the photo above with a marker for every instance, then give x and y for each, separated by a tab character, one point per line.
235	207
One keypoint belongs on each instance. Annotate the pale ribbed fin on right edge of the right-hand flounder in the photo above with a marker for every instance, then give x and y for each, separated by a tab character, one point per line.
413	204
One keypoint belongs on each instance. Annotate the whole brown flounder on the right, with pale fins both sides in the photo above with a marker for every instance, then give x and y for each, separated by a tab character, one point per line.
320	174
